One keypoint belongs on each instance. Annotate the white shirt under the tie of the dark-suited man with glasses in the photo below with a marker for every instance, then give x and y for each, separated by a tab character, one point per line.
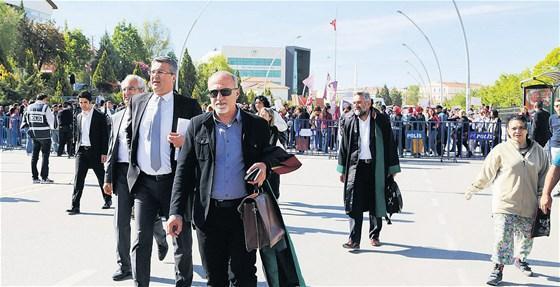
143	154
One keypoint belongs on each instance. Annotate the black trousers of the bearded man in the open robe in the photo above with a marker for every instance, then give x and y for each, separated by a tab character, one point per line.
364	200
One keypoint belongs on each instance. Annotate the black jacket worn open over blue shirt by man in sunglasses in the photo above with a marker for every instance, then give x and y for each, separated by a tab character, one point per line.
194	177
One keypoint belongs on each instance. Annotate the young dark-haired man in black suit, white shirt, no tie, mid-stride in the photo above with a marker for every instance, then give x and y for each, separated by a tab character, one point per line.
92	142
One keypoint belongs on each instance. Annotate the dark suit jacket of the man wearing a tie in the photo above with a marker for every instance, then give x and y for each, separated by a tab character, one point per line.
183	107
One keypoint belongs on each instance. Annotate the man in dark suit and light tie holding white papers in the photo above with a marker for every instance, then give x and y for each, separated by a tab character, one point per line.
153	136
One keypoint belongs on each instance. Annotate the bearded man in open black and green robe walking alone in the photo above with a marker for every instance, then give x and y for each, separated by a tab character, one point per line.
367	156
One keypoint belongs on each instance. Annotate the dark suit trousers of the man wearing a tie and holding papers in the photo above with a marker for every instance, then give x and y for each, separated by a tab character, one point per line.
152	196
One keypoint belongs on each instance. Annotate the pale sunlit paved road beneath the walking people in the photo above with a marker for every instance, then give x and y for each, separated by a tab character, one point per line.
440	238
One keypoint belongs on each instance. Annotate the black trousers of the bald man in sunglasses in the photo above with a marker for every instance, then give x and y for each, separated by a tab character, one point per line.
222	243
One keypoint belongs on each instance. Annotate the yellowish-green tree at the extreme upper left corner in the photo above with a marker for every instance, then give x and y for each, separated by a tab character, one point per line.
9	21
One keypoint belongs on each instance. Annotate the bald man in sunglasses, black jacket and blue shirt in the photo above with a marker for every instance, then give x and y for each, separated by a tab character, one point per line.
220	148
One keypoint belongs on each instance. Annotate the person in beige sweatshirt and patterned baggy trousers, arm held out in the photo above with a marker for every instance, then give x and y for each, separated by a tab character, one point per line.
517	170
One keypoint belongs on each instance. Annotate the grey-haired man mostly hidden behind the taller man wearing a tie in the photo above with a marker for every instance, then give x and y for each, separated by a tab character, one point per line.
116	168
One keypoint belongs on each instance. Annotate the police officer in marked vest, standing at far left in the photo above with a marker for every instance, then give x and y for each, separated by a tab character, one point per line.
40	120
